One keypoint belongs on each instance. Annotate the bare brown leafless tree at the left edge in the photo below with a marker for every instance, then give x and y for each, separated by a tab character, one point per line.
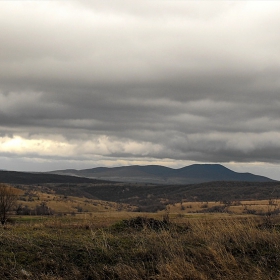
8	198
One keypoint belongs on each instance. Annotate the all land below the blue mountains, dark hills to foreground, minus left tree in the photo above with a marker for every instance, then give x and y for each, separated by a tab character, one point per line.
74	227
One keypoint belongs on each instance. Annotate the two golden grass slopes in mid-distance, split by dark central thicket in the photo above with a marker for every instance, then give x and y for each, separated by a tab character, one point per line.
61	204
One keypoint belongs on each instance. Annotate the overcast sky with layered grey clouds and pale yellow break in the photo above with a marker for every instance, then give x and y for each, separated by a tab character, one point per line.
109	83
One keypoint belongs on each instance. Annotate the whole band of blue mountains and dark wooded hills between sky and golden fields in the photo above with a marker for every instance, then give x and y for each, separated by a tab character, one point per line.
205	183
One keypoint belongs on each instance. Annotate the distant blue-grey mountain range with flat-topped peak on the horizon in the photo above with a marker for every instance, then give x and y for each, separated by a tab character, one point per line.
193	174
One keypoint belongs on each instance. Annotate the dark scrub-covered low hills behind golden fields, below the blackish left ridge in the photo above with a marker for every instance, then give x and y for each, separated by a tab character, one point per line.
153	198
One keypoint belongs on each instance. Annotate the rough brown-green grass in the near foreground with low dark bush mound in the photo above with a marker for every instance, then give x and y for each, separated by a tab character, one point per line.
202	248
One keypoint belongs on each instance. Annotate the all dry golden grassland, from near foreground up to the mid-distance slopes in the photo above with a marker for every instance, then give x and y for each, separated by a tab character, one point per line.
56	236
